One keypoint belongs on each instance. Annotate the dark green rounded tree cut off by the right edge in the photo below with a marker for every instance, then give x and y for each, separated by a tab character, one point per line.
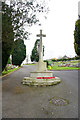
77	37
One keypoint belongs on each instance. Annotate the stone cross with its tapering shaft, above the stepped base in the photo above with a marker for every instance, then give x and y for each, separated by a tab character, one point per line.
41	48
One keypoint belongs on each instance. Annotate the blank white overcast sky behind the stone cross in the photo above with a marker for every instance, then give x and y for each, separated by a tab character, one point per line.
59	29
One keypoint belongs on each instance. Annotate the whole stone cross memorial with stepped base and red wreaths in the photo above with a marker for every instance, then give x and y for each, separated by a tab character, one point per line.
41	77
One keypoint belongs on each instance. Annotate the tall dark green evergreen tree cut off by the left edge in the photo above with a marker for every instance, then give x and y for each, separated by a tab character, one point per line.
7	34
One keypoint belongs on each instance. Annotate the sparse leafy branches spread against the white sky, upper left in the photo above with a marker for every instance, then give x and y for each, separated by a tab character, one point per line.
26	13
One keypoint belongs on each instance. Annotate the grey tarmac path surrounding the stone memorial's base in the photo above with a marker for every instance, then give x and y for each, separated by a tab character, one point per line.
21	101
